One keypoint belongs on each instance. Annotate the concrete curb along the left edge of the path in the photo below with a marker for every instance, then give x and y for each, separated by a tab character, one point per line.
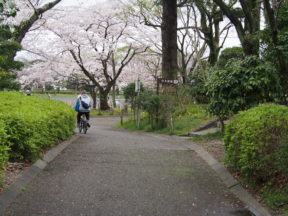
10	193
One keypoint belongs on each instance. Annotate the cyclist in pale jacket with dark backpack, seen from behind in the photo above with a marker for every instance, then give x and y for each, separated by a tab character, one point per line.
84	102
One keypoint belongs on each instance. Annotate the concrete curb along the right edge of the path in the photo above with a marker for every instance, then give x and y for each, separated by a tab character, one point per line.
235	187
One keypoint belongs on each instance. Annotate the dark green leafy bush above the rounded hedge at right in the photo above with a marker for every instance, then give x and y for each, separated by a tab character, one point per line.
241	85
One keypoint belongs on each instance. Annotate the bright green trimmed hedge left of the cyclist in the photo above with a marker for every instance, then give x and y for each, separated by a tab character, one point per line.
31	125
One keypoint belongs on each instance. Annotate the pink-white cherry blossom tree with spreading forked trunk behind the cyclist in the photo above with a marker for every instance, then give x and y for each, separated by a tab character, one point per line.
97	47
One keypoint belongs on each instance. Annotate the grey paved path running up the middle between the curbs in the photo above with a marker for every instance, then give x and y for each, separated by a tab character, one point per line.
113	172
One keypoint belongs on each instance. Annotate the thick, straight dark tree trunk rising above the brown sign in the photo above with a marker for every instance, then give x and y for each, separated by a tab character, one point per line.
169	39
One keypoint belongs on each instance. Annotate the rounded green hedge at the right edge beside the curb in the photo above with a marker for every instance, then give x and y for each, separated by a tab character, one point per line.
256	143
